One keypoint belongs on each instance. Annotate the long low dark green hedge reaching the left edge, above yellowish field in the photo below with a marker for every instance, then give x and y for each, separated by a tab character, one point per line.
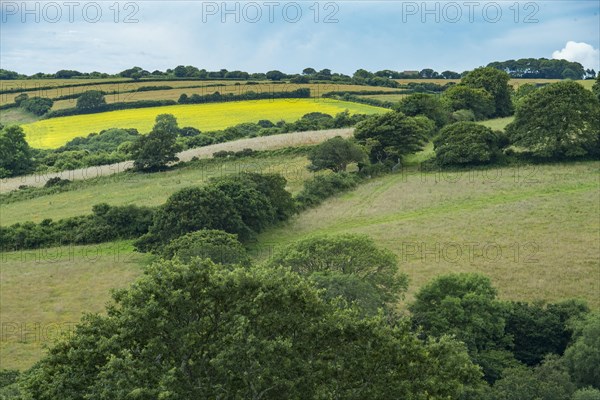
106	223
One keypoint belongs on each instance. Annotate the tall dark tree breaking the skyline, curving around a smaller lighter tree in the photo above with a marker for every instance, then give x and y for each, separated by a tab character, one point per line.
495	82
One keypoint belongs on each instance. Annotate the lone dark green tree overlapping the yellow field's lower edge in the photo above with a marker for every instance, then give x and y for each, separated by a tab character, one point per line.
155	150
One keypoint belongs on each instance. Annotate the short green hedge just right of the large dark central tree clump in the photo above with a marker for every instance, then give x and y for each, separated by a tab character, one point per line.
321	187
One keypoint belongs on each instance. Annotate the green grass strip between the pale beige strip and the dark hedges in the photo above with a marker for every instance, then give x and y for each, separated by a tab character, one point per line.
146	189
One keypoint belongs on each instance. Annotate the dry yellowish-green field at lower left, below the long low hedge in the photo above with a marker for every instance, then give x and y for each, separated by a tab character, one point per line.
45	292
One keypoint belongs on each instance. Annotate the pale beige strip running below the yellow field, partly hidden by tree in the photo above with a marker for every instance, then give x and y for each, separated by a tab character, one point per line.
258	143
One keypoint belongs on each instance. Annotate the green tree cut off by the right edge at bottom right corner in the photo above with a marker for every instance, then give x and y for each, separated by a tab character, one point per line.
583	354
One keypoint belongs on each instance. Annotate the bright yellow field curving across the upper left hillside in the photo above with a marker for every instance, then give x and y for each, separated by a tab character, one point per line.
55	132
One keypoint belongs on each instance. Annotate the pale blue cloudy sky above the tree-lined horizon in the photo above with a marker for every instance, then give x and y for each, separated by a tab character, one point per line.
257	36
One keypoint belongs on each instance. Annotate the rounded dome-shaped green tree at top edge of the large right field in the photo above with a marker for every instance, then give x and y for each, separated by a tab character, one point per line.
466	143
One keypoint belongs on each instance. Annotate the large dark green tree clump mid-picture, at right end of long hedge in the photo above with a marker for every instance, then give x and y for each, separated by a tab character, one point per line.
243	204
